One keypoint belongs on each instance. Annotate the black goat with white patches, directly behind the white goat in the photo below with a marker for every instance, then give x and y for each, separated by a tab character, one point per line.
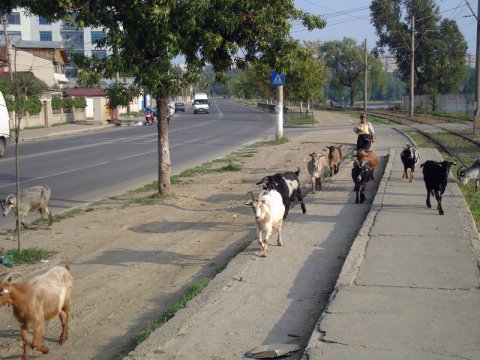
288	185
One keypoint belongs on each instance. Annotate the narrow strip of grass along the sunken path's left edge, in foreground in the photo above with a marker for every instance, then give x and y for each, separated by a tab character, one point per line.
193	291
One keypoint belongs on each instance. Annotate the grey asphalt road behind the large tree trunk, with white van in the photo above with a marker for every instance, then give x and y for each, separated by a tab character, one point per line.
85	168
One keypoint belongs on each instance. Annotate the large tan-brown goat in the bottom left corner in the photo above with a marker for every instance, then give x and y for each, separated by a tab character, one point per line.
37	300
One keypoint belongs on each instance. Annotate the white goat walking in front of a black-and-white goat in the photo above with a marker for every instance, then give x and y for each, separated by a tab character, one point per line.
269	211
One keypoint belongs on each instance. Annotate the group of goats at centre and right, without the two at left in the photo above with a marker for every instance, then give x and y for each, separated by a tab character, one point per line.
272	204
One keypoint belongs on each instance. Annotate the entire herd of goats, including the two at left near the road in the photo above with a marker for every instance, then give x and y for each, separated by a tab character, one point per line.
49	295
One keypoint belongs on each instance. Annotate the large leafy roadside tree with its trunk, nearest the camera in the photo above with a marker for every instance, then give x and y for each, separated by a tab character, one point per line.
145	36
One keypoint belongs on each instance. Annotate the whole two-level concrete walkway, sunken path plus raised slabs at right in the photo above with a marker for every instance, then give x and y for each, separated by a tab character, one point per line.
409	288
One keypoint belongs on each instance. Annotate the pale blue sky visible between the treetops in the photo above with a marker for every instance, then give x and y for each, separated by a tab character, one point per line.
351	18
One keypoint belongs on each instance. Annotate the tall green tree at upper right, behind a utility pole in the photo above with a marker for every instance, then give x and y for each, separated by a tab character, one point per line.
439	45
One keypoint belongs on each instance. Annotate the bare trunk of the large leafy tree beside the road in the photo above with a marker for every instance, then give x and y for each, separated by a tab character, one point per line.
164	164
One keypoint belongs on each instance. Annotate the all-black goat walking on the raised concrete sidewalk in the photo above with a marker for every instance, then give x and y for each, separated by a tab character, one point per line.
435	175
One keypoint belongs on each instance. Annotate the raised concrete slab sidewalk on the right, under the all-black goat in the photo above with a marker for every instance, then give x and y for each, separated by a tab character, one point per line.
410	286
